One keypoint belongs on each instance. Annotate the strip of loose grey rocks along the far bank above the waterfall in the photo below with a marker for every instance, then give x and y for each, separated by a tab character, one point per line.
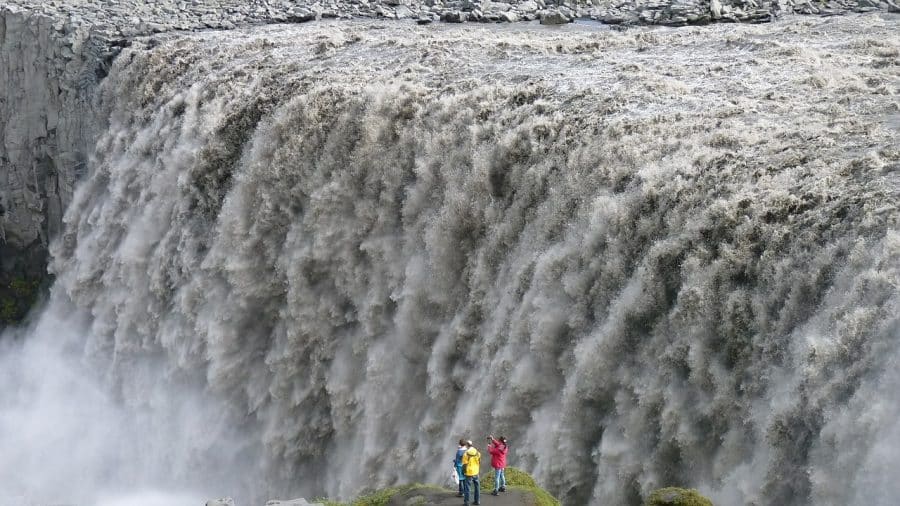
129	18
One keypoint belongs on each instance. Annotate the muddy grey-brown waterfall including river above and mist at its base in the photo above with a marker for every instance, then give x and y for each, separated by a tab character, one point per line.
307	259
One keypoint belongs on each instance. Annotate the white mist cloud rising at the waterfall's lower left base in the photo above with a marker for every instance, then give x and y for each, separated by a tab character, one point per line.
70	434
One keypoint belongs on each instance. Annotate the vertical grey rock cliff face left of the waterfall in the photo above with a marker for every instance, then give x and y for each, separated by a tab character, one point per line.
50	67
